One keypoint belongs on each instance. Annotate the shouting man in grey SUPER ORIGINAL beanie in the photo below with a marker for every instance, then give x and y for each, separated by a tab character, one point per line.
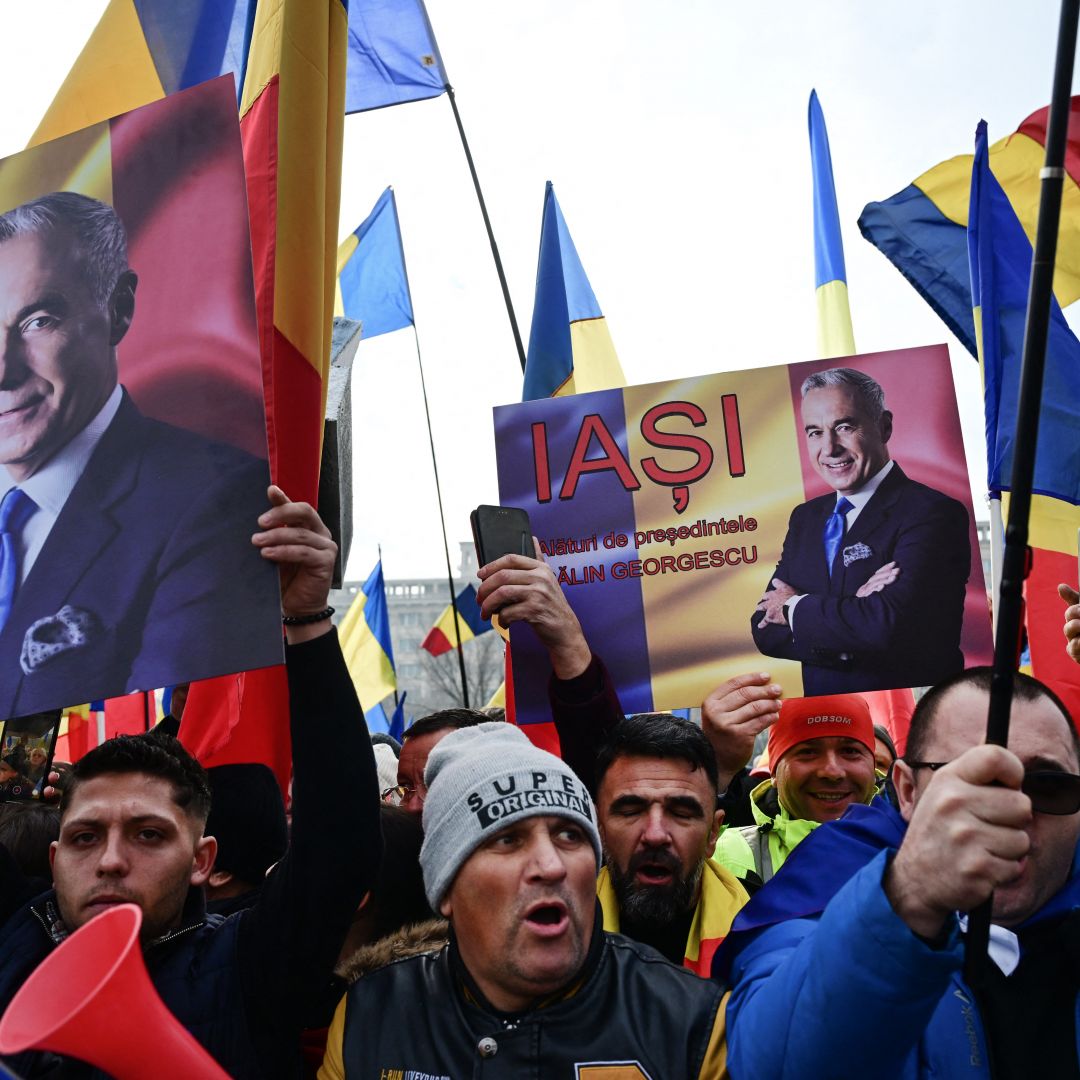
529	984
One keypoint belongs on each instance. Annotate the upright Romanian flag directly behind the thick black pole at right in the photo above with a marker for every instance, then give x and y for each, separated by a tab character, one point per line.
1001	268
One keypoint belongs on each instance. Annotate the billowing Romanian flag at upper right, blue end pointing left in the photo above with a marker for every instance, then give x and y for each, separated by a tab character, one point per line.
922	231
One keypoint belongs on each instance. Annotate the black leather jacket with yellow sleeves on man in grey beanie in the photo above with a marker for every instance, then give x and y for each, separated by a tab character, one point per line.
629	1016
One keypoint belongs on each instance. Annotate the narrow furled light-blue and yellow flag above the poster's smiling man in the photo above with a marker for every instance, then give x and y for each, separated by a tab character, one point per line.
835	335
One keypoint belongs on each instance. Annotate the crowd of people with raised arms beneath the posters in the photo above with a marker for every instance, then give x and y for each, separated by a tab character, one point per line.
652	904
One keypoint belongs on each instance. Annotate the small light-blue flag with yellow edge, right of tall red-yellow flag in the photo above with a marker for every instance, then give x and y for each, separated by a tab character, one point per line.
373	286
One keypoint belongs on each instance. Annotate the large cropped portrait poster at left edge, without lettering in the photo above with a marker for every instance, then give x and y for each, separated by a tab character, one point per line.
133	456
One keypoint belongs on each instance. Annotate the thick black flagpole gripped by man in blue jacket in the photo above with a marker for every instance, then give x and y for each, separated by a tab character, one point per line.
1016	561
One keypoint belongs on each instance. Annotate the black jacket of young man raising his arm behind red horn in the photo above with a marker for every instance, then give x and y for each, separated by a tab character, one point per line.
246	985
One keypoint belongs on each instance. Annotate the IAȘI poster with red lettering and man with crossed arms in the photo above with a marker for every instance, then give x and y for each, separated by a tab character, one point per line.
811	520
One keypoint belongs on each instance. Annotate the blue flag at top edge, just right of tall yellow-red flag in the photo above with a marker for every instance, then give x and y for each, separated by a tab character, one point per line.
393	56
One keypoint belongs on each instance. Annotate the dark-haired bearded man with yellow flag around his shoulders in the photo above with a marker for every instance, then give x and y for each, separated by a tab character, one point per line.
658	816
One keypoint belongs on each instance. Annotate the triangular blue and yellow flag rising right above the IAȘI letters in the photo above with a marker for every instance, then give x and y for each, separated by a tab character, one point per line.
571	349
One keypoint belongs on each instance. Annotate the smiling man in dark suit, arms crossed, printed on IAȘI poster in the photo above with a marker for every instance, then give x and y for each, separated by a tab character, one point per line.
870	590
